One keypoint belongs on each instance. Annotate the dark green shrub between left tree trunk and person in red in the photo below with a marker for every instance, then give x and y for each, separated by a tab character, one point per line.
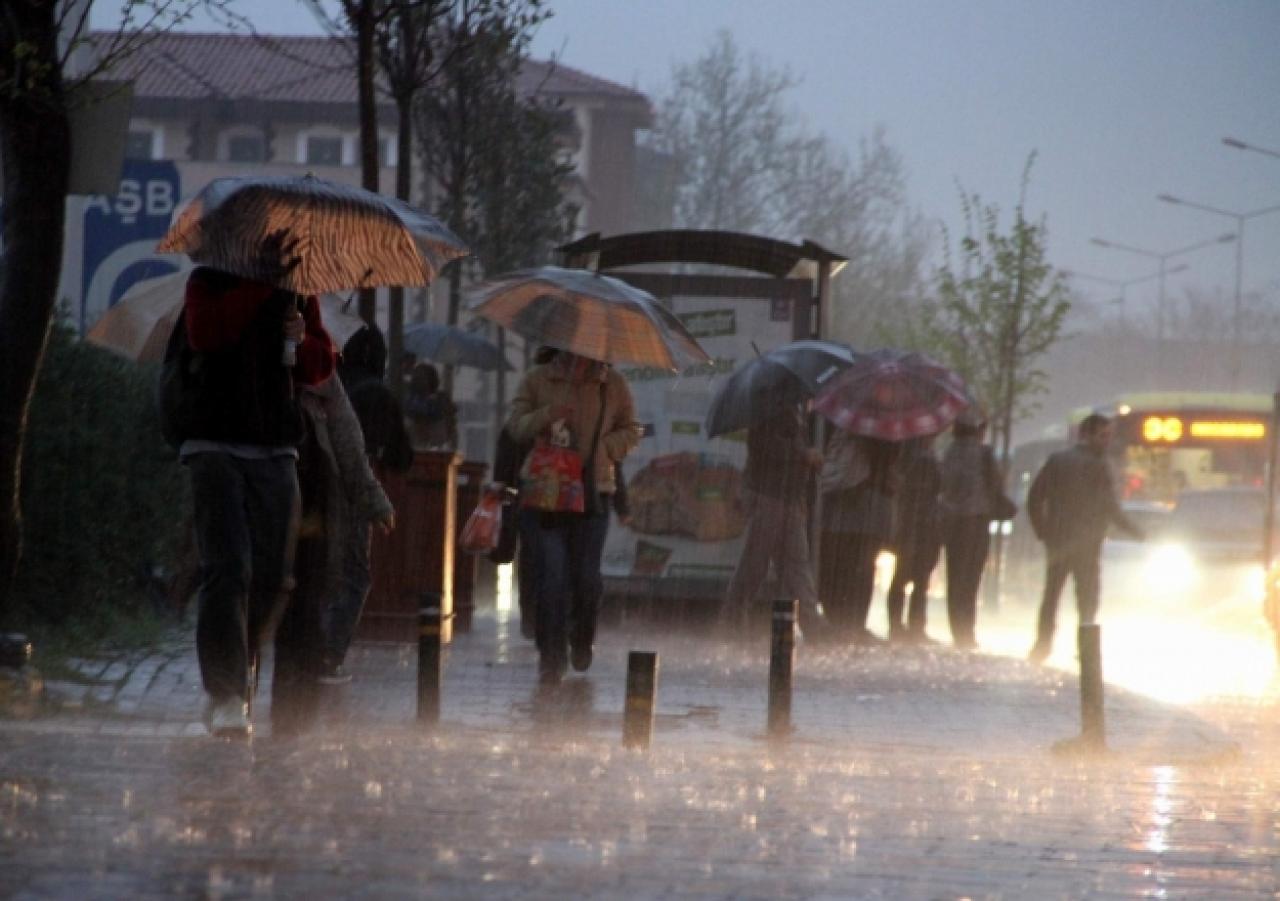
106	502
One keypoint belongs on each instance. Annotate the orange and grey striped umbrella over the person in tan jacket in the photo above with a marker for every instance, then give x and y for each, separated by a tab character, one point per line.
588	314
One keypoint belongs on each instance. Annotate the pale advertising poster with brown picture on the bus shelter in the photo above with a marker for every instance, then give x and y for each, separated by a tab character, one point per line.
685	491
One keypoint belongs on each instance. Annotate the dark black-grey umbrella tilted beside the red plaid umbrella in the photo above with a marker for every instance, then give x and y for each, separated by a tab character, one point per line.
778	379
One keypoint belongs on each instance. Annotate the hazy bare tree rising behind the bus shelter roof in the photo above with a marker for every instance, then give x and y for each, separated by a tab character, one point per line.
740	159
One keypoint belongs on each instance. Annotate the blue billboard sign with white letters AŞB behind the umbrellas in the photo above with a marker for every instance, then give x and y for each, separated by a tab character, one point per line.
121	235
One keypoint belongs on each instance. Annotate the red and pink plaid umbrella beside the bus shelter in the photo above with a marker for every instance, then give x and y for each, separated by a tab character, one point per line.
894	396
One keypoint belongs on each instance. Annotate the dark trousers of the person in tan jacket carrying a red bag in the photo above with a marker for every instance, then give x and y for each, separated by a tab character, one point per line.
568	550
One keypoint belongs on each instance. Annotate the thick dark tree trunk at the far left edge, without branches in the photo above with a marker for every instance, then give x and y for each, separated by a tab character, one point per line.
35	143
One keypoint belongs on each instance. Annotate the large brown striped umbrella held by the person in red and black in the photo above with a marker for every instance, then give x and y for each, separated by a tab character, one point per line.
310	236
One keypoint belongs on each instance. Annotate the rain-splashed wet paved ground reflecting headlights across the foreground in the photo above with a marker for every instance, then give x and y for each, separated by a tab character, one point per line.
911	774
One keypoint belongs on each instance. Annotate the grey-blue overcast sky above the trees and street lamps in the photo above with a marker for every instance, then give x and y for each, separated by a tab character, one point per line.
1123	100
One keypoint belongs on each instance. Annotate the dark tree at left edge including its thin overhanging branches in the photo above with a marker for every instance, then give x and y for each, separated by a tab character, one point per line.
36	93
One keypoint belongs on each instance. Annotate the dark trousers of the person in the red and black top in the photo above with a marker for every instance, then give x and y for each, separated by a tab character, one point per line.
246	522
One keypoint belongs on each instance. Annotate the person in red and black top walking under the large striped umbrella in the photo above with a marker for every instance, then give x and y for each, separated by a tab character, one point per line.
249	346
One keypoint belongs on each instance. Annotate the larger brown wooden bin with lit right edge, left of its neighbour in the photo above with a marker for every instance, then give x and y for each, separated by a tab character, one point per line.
419	555
